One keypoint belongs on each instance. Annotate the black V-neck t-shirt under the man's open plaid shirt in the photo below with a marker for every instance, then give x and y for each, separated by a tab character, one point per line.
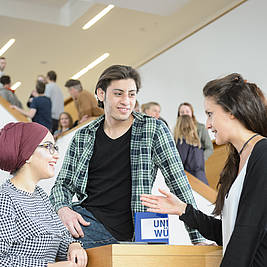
109	184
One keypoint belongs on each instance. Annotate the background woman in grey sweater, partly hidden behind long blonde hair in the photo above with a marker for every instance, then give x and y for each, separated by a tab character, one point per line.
206	144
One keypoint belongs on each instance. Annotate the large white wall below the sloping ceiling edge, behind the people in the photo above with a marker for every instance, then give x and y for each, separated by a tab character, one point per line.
237	42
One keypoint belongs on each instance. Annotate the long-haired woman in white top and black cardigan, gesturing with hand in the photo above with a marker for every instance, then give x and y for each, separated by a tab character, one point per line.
237	115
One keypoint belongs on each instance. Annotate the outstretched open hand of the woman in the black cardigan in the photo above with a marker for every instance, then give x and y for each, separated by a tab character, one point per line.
169	203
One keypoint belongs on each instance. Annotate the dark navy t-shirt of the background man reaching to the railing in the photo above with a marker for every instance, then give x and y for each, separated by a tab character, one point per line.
43	106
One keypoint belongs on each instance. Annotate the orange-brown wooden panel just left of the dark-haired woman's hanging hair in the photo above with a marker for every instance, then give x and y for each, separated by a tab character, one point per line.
215	164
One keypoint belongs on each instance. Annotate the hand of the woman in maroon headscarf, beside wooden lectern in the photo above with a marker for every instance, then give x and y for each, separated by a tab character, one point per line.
77	254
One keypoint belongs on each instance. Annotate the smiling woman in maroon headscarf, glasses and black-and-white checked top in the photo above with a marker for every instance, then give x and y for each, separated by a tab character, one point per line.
31	233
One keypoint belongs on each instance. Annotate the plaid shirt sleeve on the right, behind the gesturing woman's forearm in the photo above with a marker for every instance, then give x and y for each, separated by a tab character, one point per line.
170	164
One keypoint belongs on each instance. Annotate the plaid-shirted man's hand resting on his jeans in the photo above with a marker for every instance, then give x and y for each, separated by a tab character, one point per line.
72	221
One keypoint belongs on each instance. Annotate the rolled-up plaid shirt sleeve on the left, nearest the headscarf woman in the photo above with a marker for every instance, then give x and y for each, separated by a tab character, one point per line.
63	190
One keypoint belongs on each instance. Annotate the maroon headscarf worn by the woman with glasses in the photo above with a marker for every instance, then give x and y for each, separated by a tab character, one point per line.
18	141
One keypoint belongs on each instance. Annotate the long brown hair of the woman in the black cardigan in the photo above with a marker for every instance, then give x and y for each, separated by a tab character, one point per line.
245	102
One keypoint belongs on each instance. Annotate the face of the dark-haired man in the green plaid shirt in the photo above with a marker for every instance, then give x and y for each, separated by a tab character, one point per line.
119	99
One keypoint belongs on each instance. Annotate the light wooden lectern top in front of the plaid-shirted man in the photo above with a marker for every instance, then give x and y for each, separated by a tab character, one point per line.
135	255
